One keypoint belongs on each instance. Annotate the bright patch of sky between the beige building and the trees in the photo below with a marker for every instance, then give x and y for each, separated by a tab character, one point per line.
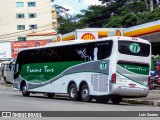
75	6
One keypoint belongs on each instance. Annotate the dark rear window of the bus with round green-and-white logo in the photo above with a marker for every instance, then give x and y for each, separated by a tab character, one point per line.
133	48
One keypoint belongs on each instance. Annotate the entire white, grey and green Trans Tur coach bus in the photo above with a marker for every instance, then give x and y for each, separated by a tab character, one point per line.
109	68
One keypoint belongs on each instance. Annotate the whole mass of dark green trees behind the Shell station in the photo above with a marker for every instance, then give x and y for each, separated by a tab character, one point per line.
121	13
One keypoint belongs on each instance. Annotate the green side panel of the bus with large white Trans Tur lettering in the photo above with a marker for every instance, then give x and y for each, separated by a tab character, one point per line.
41	72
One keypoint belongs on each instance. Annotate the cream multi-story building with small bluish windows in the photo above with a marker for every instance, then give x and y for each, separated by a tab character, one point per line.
22	20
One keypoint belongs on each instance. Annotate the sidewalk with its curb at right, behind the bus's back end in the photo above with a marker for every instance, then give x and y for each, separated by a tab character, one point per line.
153	98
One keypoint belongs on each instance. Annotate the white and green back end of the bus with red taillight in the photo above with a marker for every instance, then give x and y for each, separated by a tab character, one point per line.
130	79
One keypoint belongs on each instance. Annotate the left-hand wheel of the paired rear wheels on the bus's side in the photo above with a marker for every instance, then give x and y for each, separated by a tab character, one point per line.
73	93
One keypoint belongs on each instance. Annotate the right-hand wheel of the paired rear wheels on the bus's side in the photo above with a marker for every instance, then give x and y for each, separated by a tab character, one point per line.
85	97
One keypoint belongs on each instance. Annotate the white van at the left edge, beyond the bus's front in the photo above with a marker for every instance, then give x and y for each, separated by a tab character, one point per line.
7	71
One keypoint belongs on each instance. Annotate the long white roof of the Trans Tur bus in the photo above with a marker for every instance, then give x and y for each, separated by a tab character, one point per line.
78	41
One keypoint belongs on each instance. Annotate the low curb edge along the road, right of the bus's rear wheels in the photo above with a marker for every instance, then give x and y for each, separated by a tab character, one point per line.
144	102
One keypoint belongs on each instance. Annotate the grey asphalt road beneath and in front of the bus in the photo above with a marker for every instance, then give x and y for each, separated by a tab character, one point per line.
13	101
